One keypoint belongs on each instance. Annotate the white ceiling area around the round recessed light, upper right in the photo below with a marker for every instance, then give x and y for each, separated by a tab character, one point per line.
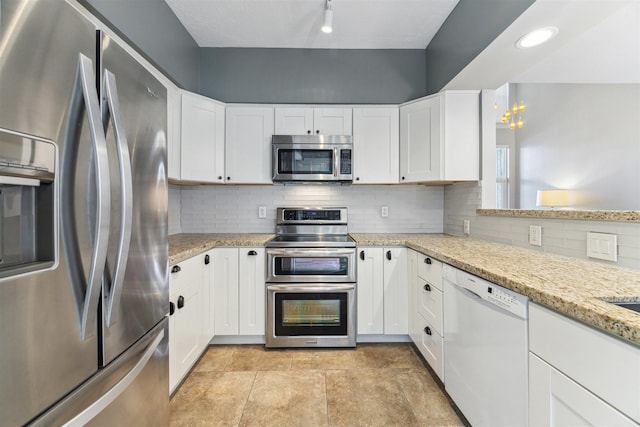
598	42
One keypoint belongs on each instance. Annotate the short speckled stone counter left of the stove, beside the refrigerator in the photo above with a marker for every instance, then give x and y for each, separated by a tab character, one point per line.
185	245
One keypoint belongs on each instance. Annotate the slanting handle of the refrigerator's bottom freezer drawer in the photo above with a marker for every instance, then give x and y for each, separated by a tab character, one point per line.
112	394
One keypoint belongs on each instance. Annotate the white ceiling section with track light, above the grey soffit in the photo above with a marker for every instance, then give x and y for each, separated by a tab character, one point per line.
357	24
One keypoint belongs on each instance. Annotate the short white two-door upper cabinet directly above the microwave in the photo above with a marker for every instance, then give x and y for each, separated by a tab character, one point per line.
308	121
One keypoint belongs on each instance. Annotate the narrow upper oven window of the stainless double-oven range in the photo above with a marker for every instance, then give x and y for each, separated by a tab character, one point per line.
311	266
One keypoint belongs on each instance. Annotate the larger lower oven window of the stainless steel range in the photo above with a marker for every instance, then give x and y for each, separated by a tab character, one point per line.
301	313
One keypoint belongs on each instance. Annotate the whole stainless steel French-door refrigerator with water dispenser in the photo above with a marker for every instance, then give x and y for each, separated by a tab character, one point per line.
83	224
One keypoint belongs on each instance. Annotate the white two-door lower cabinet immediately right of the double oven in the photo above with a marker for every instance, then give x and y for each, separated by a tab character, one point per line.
382	291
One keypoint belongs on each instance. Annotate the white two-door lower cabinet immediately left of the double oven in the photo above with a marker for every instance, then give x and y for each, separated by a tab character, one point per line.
239	291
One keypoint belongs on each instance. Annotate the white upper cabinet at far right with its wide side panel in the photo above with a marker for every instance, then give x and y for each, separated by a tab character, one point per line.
440	138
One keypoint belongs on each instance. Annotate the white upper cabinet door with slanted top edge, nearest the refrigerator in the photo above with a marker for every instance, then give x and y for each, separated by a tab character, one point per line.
202	150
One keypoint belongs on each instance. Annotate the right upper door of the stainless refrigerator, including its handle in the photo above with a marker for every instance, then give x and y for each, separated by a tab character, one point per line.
135	286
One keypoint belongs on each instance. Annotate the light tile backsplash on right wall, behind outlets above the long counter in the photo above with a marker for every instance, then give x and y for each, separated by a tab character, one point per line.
566	237
